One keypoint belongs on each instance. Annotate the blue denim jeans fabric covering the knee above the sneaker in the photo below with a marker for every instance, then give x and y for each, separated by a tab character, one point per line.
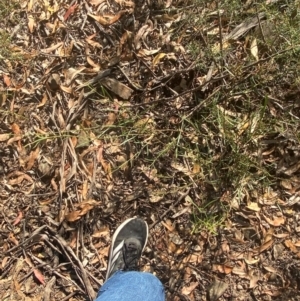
132	285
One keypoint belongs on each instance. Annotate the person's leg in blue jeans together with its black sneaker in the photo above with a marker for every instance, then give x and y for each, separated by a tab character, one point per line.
123	282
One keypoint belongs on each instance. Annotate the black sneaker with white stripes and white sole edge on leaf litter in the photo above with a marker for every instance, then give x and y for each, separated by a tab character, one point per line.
128	243
